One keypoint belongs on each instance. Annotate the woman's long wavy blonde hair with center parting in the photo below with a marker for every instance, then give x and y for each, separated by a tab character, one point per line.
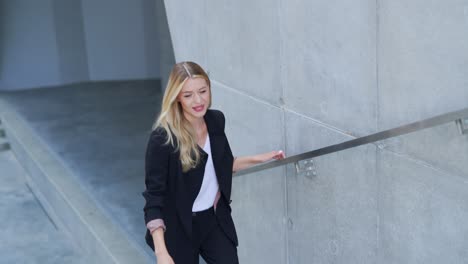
181	133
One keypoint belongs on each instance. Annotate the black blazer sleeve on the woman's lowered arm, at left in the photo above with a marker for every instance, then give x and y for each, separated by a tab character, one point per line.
156	174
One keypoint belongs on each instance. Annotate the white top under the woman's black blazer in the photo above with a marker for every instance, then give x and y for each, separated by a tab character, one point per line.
206	197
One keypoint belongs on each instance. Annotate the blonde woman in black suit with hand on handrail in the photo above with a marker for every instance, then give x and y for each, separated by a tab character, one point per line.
189	166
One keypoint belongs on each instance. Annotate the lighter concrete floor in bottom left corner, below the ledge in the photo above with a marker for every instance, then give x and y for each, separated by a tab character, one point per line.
28	235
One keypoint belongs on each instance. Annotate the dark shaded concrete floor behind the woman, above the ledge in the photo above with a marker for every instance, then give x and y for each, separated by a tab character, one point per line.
100	130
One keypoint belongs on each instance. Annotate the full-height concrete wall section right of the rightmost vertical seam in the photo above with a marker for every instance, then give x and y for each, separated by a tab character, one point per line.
423	71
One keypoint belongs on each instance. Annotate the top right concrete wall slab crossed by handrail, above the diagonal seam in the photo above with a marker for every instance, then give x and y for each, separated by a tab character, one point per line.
423	72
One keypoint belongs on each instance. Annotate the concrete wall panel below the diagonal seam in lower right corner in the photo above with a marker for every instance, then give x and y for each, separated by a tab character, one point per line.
423	213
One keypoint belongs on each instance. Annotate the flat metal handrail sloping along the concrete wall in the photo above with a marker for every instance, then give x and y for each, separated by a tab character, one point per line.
457	116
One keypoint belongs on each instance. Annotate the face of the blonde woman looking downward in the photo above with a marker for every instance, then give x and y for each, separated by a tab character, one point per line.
194	98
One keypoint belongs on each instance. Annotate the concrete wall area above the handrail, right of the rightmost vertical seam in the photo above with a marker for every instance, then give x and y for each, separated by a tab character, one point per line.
423	59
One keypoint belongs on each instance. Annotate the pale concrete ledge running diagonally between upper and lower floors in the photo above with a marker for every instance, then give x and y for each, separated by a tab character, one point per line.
68	205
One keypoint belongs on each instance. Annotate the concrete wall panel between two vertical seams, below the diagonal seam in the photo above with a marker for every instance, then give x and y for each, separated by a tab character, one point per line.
334	216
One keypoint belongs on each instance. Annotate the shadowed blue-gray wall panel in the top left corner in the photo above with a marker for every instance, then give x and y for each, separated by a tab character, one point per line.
29	50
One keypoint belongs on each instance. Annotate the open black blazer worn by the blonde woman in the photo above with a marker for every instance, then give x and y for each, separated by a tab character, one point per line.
167	192
